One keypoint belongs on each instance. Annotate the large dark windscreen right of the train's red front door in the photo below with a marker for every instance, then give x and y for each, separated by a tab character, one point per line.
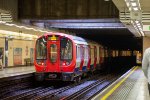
66	49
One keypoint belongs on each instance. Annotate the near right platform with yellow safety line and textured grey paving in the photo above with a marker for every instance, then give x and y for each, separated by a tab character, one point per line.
131	86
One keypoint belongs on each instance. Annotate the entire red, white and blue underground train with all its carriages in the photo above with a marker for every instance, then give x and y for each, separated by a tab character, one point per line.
65	57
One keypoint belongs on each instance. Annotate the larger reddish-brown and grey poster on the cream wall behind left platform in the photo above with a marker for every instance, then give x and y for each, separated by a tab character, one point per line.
17	56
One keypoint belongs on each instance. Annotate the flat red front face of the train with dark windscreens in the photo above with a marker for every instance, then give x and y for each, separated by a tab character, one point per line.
54	58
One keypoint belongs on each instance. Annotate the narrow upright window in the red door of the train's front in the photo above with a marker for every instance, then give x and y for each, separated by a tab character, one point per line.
53	52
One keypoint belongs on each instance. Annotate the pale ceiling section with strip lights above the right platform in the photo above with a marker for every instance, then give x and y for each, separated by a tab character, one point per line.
142	15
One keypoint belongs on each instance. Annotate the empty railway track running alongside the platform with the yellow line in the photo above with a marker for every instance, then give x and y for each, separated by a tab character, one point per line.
99	85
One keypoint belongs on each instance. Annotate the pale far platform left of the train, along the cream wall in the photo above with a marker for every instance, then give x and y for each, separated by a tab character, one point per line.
7	72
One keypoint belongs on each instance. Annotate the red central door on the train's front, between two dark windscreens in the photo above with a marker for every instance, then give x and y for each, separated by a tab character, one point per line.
53	63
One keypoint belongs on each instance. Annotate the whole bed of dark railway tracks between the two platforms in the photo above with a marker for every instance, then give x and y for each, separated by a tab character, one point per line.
27	91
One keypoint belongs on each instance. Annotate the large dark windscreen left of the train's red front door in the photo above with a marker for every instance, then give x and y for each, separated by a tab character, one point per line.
41	49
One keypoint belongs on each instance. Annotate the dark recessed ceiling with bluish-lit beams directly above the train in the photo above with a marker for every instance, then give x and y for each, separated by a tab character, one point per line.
110	32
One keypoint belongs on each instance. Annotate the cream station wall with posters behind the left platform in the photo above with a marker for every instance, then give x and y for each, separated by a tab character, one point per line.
18	51
